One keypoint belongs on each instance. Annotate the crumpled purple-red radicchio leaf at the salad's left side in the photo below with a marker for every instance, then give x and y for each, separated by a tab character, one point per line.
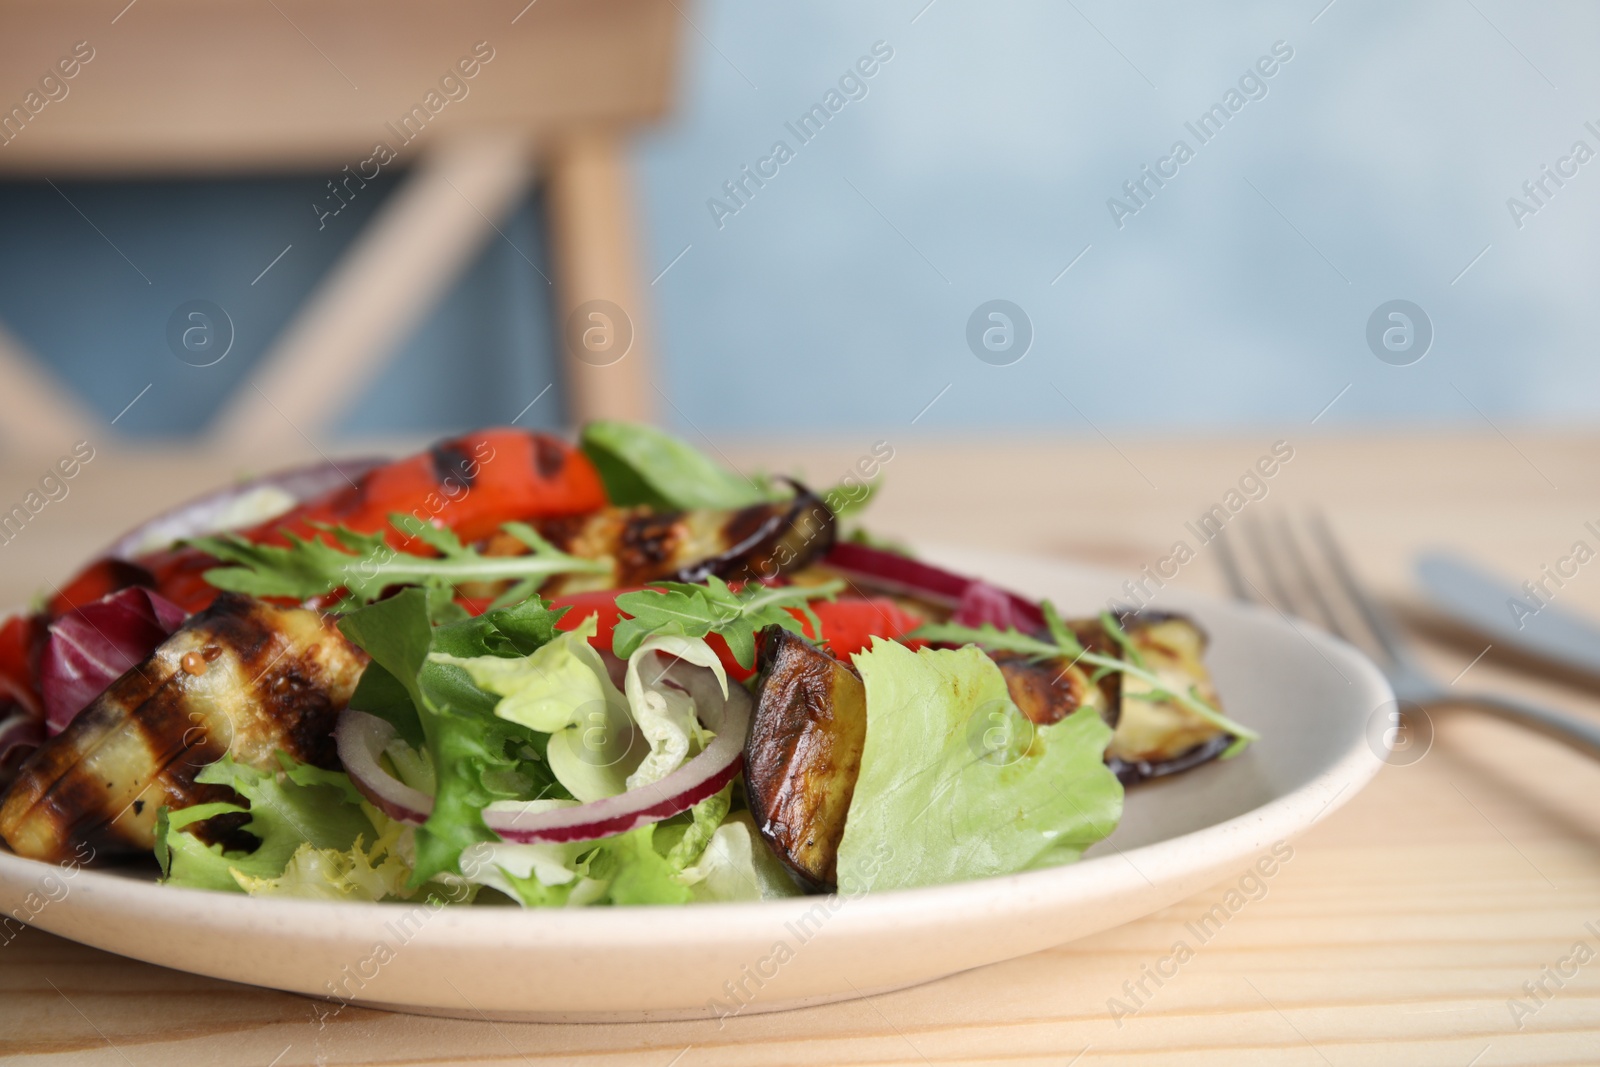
95	645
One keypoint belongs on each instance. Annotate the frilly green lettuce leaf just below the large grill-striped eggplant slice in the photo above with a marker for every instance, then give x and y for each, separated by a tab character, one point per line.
290	809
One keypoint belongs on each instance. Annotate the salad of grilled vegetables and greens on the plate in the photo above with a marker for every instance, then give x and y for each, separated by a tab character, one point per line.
519	671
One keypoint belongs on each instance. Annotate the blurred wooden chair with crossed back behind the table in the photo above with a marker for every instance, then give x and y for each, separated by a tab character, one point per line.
190	87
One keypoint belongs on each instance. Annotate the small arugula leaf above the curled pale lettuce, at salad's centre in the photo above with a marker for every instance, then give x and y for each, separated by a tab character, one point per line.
695	610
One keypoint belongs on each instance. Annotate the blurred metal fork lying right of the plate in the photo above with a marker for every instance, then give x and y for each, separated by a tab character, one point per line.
1284	564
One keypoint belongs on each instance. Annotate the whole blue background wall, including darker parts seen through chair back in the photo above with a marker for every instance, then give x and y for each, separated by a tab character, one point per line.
977	166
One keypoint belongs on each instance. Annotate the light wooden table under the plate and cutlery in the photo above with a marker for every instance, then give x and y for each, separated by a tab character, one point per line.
1401	933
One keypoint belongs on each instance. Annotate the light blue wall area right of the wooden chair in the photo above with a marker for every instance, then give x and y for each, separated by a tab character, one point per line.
980	164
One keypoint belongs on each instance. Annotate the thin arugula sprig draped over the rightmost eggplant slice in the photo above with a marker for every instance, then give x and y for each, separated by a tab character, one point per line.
1066	645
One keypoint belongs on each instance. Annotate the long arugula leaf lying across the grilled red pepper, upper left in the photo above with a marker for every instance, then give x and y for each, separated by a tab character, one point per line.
366	565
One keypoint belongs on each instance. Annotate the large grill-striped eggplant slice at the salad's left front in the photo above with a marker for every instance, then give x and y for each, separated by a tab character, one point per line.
242	677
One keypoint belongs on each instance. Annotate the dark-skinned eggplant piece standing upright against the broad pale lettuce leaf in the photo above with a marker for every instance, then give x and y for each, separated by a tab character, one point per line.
804	754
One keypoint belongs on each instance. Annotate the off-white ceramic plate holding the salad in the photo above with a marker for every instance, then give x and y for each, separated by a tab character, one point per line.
1310	695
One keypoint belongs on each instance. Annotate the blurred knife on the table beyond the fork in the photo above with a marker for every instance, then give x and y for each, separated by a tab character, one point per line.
1506	613
